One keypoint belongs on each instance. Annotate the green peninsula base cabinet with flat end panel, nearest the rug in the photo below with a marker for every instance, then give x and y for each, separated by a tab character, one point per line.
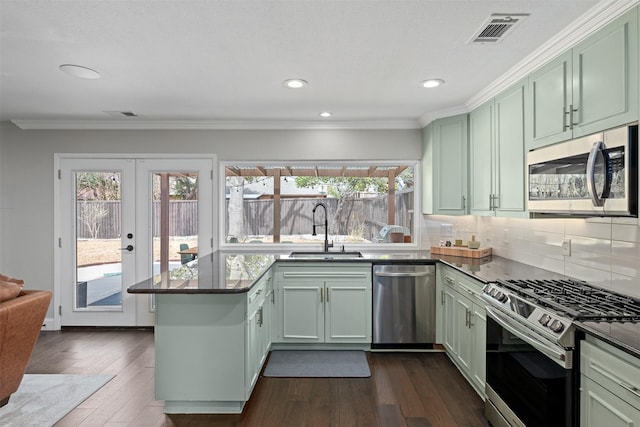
210	348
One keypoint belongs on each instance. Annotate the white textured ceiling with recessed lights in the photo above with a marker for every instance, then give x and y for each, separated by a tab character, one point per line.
224	61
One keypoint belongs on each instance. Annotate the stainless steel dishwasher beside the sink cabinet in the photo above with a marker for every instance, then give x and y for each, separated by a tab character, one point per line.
404	306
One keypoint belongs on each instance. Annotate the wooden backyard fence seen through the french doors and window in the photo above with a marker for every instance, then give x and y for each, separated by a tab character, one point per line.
363	217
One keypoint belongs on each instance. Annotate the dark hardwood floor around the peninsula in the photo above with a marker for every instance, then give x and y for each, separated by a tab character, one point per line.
405	389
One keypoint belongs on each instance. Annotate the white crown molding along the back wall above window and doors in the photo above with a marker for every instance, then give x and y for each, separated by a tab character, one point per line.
134	124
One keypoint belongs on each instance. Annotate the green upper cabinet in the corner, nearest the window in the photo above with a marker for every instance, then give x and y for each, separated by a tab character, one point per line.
444	166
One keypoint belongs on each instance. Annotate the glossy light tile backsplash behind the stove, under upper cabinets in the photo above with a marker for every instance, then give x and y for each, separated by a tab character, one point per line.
603	251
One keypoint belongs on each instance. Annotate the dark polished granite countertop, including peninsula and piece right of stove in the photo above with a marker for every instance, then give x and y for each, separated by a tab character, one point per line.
221	273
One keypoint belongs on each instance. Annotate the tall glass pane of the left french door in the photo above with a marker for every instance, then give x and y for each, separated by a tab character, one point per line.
98	241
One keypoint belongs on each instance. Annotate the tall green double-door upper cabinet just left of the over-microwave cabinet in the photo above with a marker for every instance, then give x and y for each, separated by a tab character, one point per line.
496	155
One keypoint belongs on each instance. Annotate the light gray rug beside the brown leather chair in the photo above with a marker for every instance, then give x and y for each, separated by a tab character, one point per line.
42	400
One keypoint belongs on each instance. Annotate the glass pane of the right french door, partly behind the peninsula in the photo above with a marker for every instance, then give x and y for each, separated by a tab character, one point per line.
175	223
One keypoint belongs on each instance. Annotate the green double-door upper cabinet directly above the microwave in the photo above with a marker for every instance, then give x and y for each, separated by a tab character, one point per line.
590	88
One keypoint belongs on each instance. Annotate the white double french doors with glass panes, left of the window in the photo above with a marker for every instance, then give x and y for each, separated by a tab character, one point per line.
122	221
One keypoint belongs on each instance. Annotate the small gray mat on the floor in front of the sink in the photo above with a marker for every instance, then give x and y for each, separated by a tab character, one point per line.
323	363
